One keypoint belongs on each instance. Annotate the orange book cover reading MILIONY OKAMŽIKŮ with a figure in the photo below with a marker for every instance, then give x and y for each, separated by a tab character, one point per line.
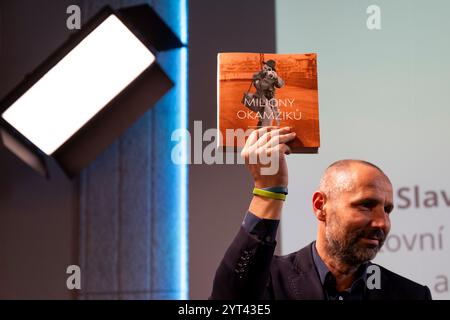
259	89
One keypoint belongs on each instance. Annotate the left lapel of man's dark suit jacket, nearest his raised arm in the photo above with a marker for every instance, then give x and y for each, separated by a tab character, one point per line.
305	281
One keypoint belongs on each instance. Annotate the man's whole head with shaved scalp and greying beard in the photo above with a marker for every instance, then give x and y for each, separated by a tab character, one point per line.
352	206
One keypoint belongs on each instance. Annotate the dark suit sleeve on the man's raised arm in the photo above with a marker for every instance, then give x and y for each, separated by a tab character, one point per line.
244	272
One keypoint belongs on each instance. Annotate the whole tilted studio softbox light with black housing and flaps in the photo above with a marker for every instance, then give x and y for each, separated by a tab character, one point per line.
86	94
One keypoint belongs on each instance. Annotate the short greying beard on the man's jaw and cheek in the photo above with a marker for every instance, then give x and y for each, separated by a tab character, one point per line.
346	247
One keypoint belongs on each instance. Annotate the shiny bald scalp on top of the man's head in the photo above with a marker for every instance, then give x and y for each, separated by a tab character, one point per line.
341	175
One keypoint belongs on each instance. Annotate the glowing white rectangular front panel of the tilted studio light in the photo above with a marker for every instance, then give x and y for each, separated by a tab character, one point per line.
80	85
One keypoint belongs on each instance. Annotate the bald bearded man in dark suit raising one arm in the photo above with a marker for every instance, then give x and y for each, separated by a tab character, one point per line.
352	207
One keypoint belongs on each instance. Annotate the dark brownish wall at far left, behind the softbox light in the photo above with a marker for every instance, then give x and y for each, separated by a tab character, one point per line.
38	217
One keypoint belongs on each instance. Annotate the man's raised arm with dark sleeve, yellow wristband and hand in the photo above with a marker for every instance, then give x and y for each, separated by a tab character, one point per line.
244	272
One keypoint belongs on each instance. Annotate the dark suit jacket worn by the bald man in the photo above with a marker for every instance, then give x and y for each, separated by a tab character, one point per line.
250	270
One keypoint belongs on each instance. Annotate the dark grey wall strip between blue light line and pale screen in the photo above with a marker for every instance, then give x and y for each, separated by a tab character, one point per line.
219	194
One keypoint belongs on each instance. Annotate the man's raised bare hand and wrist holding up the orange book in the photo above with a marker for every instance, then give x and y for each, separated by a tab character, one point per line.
265	149
